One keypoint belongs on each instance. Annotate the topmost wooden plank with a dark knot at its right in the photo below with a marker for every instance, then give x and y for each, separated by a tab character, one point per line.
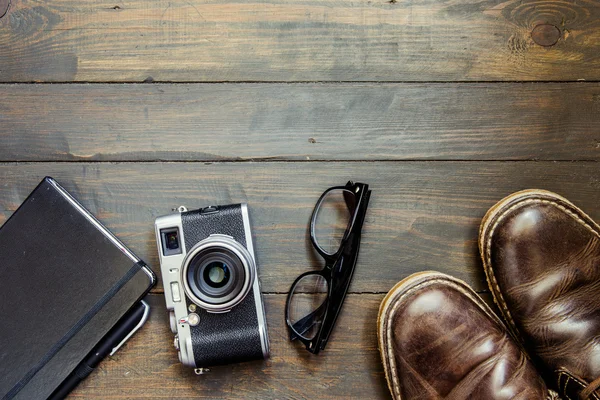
284	40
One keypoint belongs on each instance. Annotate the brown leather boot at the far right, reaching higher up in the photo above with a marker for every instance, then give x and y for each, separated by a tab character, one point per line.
542	260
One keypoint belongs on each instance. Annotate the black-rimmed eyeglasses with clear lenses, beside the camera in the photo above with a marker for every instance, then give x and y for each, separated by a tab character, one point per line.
316	297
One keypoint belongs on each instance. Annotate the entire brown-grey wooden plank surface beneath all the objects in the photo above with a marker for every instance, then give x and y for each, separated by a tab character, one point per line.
443	107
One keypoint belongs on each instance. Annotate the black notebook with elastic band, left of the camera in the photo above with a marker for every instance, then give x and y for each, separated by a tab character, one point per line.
65	281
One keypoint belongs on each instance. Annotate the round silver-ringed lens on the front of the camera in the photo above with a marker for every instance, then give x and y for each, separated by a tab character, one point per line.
218	273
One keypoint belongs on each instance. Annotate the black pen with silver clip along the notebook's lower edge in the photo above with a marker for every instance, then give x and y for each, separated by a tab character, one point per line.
129	324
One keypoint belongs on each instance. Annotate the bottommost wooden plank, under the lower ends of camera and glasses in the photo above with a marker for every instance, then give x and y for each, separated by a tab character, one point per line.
350	367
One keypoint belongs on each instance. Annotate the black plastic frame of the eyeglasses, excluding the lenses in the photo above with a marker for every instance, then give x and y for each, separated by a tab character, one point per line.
348	250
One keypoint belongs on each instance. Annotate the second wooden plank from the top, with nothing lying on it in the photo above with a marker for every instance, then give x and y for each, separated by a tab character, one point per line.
203	122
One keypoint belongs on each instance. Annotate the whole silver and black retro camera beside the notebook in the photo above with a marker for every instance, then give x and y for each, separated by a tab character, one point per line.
211	286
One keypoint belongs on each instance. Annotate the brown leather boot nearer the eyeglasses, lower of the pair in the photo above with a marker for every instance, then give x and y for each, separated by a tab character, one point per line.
439	340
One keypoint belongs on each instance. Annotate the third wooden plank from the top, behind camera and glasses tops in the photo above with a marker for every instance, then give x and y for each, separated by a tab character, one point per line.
422	215
